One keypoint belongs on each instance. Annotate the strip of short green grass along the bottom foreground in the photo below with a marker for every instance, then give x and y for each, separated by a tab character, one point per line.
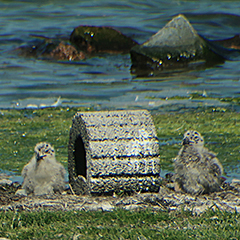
119	224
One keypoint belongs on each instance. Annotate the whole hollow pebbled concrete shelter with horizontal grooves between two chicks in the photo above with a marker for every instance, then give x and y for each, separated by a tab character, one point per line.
112	151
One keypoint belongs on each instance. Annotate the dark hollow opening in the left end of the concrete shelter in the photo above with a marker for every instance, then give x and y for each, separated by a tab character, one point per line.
80	157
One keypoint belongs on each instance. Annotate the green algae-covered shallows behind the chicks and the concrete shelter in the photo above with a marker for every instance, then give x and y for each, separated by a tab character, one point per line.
20	130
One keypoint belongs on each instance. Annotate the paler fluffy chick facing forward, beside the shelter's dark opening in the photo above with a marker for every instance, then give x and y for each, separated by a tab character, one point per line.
43	174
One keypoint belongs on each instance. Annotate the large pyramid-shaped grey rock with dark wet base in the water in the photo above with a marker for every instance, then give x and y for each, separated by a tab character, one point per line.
174	46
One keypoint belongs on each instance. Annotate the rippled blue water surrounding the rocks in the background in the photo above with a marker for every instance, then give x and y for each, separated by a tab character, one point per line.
105	81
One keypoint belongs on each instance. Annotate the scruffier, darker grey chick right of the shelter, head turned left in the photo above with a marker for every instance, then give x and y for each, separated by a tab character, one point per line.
197	169
